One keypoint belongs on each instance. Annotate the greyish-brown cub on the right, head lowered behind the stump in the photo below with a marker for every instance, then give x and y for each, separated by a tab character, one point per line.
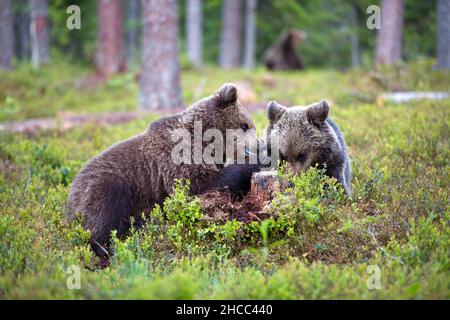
306	137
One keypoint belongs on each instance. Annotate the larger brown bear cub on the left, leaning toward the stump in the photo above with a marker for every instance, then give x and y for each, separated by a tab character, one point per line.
133	175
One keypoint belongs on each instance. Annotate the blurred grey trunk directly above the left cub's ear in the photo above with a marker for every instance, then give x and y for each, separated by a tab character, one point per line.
231	34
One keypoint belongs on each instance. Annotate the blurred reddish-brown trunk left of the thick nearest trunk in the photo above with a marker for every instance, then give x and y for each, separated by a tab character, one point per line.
110	57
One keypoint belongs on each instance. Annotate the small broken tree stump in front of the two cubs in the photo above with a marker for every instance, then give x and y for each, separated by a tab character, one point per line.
264	185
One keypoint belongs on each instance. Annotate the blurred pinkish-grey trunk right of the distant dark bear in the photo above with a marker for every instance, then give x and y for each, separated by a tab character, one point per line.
389	37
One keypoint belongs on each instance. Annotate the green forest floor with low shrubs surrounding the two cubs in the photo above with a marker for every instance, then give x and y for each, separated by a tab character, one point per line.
391	239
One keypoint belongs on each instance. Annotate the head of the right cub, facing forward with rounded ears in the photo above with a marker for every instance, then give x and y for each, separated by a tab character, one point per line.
302	134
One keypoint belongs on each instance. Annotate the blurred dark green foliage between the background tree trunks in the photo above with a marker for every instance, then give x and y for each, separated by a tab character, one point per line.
328	24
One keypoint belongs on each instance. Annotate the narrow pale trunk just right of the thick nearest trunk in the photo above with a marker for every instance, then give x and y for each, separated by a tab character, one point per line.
194	40
